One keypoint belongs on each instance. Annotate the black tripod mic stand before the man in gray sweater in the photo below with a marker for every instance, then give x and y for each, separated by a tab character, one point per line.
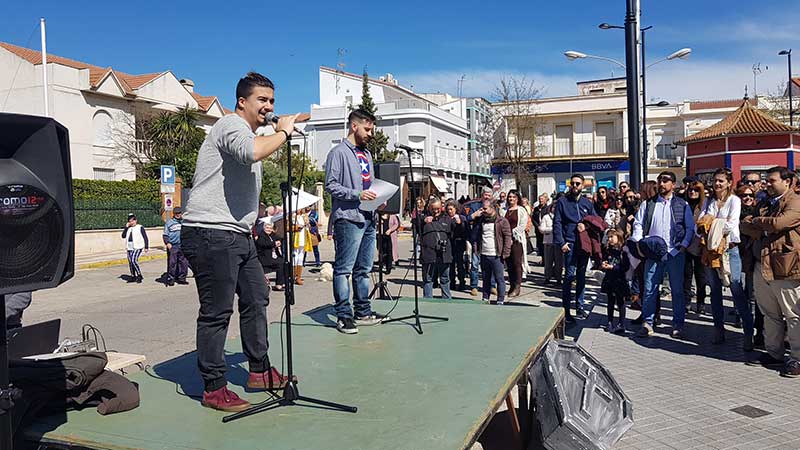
291	393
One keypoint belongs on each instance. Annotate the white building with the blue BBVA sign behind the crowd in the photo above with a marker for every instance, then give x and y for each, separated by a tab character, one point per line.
587	134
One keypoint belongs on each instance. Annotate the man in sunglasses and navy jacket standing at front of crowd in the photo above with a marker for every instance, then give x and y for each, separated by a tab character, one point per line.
570	211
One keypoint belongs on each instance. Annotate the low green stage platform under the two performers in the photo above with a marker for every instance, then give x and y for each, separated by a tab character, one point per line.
413	392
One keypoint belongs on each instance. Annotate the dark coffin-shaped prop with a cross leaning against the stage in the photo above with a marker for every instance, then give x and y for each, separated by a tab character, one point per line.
577	402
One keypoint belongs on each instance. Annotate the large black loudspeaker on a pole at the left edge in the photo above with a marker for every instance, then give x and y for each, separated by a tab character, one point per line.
37	225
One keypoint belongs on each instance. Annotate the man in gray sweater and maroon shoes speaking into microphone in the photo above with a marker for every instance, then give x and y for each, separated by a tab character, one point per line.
216	239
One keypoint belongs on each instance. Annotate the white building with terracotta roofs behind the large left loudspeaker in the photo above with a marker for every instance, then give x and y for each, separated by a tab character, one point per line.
98	105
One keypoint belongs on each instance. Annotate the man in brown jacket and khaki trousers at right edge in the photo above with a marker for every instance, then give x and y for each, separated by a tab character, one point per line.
776	232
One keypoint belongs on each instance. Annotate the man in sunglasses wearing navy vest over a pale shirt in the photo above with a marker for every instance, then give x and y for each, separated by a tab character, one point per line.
670	218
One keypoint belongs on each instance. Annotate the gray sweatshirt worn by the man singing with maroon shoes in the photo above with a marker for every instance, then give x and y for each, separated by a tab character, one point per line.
227	180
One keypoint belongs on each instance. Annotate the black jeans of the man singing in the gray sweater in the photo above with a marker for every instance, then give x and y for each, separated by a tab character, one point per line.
225	263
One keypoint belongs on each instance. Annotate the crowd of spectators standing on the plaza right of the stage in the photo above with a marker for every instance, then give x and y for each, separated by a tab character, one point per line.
743	235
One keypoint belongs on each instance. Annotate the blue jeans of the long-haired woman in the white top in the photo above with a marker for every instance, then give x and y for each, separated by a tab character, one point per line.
740	299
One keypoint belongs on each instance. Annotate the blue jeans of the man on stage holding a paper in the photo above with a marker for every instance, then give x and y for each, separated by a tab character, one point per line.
355	250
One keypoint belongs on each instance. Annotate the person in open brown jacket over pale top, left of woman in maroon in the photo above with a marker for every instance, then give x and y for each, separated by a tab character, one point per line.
491	236
